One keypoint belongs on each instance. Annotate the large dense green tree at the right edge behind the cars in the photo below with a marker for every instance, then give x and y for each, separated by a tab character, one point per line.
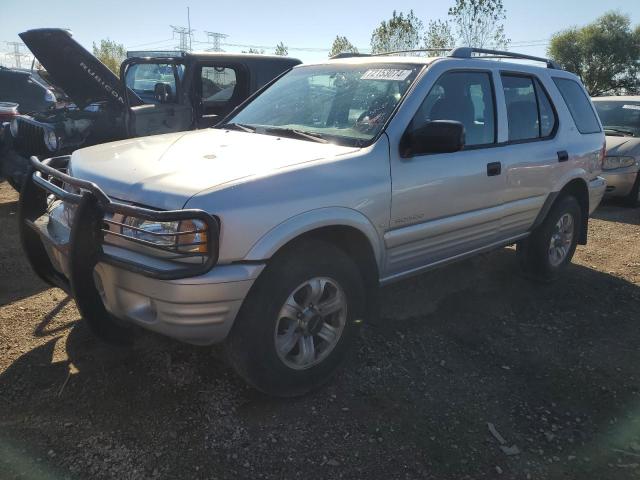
605	54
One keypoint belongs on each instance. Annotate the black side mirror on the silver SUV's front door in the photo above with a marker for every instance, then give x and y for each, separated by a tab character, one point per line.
439	136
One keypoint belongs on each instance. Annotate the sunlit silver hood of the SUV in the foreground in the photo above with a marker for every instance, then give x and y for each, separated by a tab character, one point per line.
165	171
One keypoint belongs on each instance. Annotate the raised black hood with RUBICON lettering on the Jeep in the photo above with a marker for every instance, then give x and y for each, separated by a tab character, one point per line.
81	75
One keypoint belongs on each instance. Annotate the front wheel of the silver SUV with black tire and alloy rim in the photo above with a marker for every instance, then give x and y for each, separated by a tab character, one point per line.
264	320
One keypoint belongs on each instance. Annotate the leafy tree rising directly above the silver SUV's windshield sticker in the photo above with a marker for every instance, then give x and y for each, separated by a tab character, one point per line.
400	32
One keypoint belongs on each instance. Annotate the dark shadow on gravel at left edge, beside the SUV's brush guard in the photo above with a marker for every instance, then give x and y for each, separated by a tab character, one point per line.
17	280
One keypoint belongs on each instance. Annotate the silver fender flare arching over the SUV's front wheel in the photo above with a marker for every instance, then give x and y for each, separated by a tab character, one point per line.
305	222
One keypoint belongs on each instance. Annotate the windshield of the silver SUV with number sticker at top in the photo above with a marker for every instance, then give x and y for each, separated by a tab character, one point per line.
344	104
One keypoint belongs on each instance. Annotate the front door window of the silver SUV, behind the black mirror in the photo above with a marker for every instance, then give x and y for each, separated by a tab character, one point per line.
465	97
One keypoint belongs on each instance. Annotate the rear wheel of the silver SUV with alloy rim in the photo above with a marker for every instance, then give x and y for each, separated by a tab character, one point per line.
536	256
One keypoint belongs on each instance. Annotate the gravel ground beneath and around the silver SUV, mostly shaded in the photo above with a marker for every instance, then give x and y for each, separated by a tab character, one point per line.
470	372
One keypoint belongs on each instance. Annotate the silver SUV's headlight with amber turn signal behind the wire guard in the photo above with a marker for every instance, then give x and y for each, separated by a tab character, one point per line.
187	236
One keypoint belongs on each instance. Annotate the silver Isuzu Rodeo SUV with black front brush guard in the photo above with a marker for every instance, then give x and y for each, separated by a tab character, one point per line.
272	231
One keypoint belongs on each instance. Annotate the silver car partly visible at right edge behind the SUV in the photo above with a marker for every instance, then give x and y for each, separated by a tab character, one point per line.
621	169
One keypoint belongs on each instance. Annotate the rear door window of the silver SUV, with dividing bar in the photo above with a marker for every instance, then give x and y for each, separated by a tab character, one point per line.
529	111
